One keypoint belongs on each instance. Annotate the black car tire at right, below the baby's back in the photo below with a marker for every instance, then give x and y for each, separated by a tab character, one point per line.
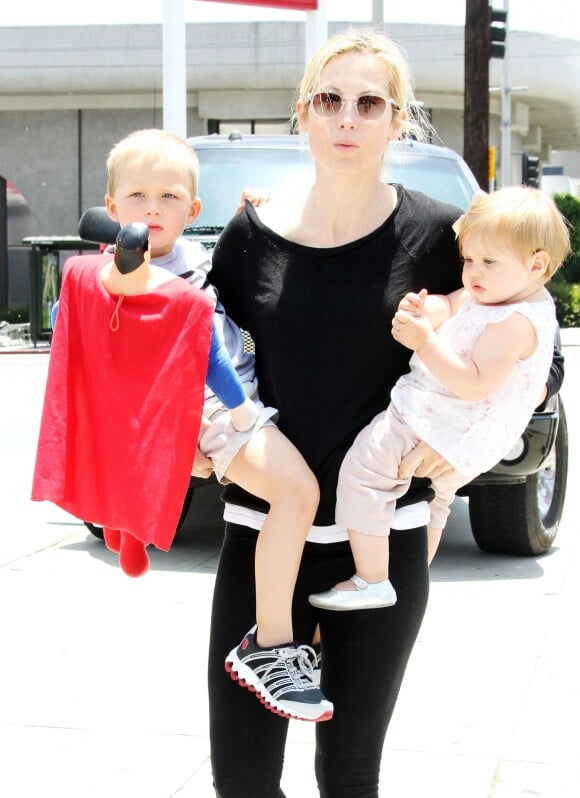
523	519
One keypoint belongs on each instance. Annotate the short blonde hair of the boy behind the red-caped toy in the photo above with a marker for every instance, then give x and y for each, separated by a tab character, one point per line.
153	146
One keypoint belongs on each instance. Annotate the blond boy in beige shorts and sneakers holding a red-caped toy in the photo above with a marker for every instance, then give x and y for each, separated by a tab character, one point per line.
152	179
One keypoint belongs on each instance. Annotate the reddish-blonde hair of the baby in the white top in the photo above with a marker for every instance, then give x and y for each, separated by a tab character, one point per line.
521	219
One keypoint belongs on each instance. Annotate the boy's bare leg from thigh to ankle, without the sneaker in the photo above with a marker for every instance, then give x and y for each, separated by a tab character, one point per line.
270	467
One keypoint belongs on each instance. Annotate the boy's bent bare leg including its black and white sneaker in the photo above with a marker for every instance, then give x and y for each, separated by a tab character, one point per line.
267	661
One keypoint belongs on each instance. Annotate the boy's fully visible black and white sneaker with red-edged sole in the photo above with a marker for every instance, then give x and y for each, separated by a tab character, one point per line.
282	678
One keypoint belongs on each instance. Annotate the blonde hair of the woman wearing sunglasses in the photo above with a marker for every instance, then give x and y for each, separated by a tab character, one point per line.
398	80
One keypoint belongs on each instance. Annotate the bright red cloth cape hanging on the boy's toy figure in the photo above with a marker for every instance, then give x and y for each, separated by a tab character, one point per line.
122	408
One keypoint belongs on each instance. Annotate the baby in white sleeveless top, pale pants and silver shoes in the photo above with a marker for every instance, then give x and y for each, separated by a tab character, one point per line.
473	384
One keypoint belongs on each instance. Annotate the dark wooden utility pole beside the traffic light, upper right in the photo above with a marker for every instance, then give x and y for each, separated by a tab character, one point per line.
476	89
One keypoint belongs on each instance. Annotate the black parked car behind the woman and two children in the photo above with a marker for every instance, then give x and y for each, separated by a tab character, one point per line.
516	507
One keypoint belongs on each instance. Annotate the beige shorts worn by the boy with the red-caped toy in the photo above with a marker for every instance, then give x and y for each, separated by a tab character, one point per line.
220	441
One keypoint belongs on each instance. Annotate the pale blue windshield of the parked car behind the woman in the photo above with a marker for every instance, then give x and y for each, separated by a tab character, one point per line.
225	172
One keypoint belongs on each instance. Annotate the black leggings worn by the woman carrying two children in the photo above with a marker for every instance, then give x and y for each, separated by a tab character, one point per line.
364	655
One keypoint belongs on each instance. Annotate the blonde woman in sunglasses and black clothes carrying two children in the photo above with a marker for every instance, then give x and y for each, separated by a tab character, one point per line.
317	282
